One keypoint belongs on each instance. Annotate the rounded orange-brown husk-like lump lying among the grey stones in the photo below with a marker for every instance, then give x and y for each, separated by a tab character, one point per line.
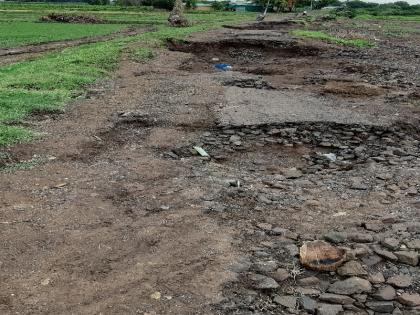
320	255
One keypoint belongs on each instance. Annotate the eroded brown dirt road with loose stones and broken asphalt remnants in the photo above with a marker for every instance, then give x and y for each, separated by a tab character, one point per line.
307	141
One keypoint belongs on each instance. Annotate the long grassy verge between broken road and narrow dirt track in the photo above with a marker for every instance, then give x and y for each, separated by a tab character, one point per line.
49	82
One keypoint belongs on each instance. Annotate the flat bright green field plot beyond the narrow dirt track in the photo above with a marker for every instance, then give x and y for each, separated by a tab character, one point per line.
21	33
